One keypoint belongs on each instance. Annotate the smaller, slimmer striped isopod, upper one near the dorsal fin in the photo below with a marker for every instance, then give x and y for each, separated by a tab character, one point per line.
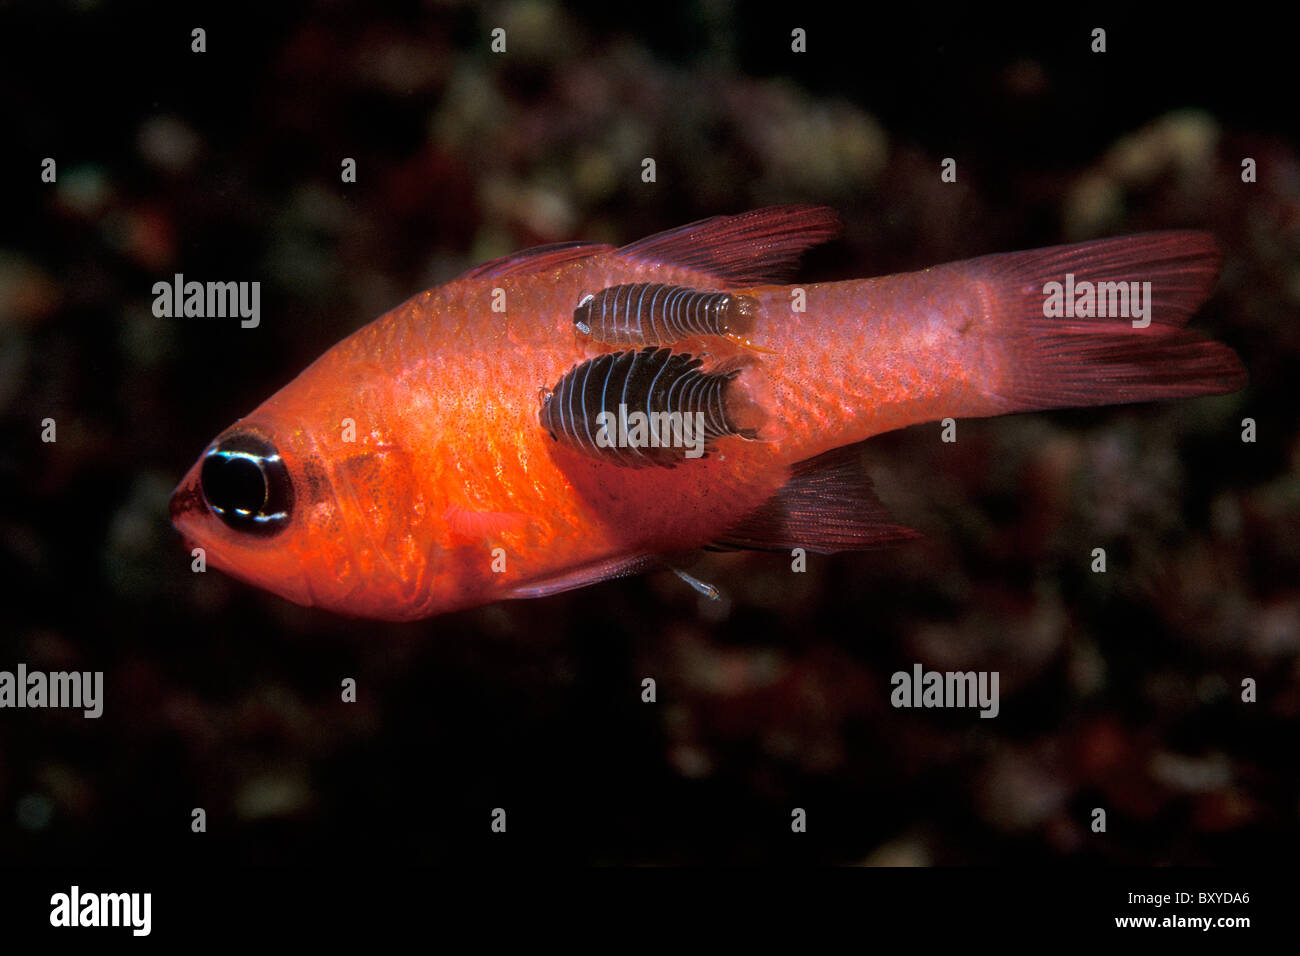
658	314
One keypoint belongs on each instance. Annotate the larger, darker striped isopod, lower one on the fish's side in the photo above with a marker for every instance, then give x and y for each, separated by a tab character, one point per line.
643	408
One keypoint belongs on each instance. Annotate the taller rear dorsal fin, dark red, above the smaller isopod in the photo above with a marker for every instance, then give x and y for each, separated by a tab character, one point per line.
759	246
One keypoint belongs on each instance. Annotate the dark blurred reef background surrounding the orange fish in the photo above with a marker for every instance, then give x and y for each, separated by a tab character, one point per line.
1119	691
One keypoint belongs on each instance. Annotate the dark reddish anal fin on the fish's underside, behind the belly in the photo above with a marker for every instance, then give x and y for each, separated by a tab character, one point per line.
827	507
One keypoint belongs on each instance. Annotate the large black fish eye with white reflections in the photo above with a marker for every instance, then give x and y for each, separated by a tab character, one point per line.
246	485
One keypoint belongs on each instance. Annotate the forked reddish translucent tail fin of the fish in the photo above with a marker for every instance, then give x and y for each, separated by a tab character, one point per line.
1102	323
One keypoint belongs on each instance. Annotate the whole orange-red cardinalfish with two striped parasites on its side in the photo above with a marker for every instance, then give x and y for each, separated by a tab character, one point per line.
496	438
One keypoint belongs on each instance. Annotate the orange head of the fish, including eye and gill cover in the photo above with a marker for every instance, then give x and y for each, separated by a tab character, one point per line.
293	512
